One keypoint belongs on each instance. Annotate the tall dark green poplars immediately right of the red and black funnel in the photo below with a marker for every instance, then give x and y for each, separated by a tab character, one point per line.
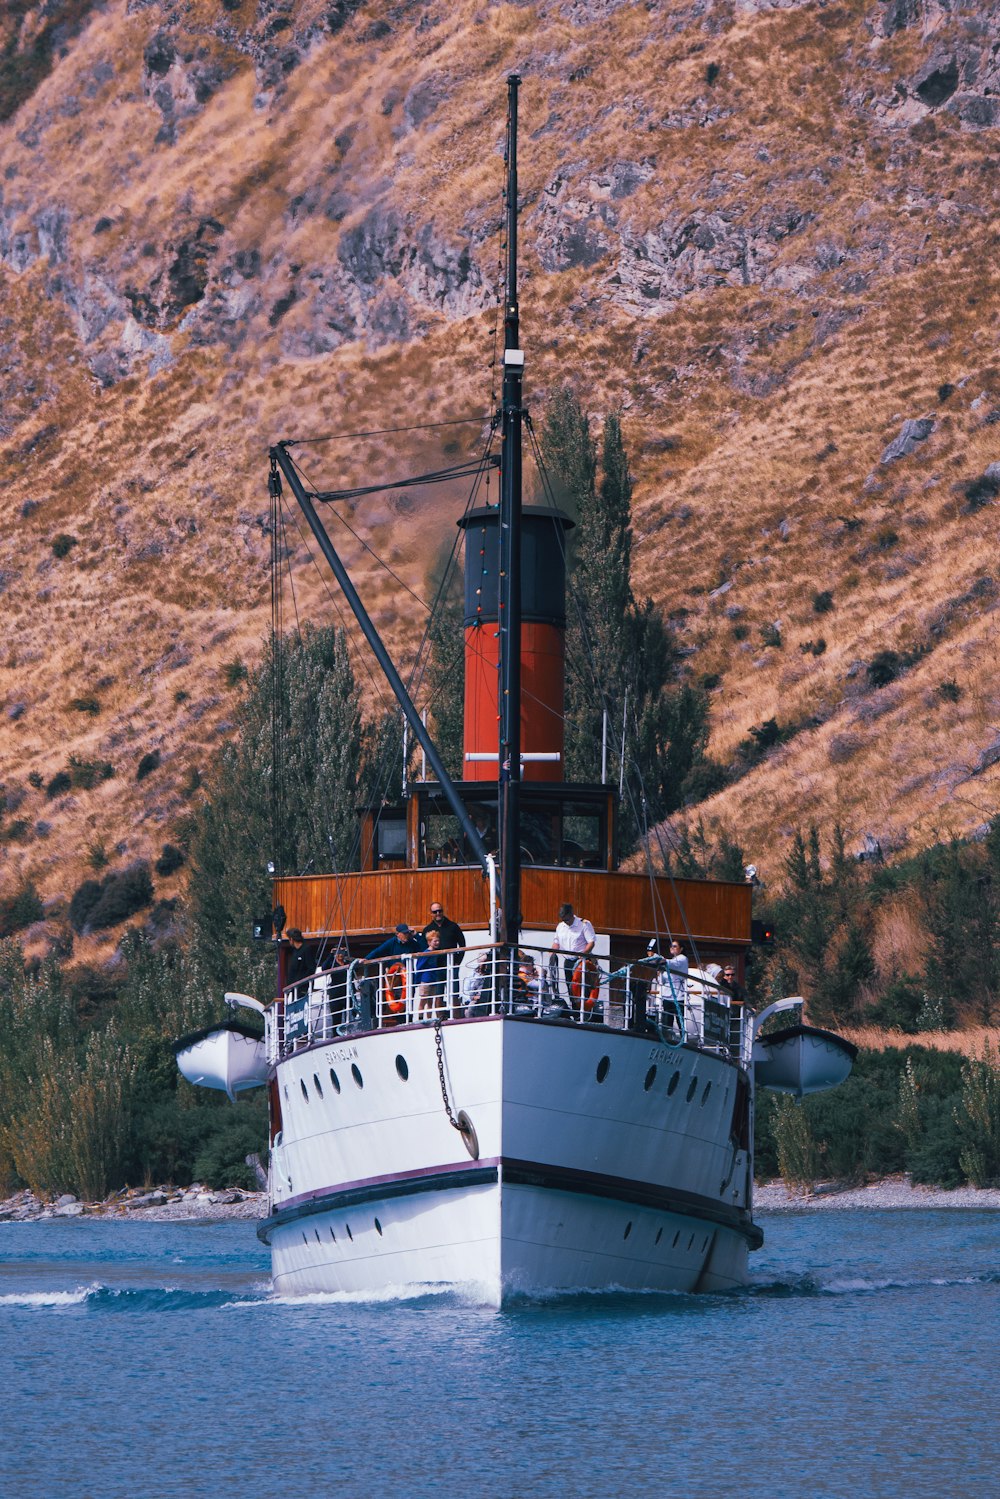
620	653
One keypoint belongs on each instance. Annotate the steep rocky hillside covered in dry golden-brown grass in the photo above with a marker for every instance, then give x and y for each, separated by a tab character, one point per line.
767	229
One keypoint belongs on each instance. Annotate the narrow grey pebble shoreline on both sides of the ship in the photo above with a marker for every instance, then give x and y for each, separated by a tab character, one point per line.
200	1206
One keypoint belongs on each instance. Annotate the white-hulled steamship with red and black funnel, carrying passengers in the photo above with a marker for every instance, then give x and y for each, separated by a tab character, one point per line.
518	1126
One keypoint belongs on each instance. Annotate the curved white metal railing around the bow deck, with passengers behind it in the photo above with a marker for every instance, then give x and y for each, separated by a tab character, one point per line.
493	980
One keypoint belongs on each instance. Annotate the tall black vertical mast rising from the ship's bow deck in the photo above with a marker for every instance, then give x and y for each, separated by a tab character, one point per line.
510	557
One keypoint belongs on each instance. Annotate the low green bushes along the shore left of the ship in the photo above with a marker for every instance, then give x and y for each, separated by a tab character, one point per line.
89	1104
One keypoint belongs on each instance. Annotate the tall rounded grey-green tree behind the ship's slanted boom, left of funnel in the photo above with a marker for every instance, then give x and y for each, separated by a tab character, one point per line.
316	797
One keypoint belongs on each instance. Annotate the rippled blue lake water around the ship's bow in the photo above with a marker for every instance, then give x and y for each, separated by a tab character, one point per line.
152	1359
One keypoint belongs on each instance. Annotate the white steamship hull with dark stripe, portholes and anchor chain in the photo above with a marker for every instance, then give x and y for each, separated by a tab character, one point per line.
633	1182
